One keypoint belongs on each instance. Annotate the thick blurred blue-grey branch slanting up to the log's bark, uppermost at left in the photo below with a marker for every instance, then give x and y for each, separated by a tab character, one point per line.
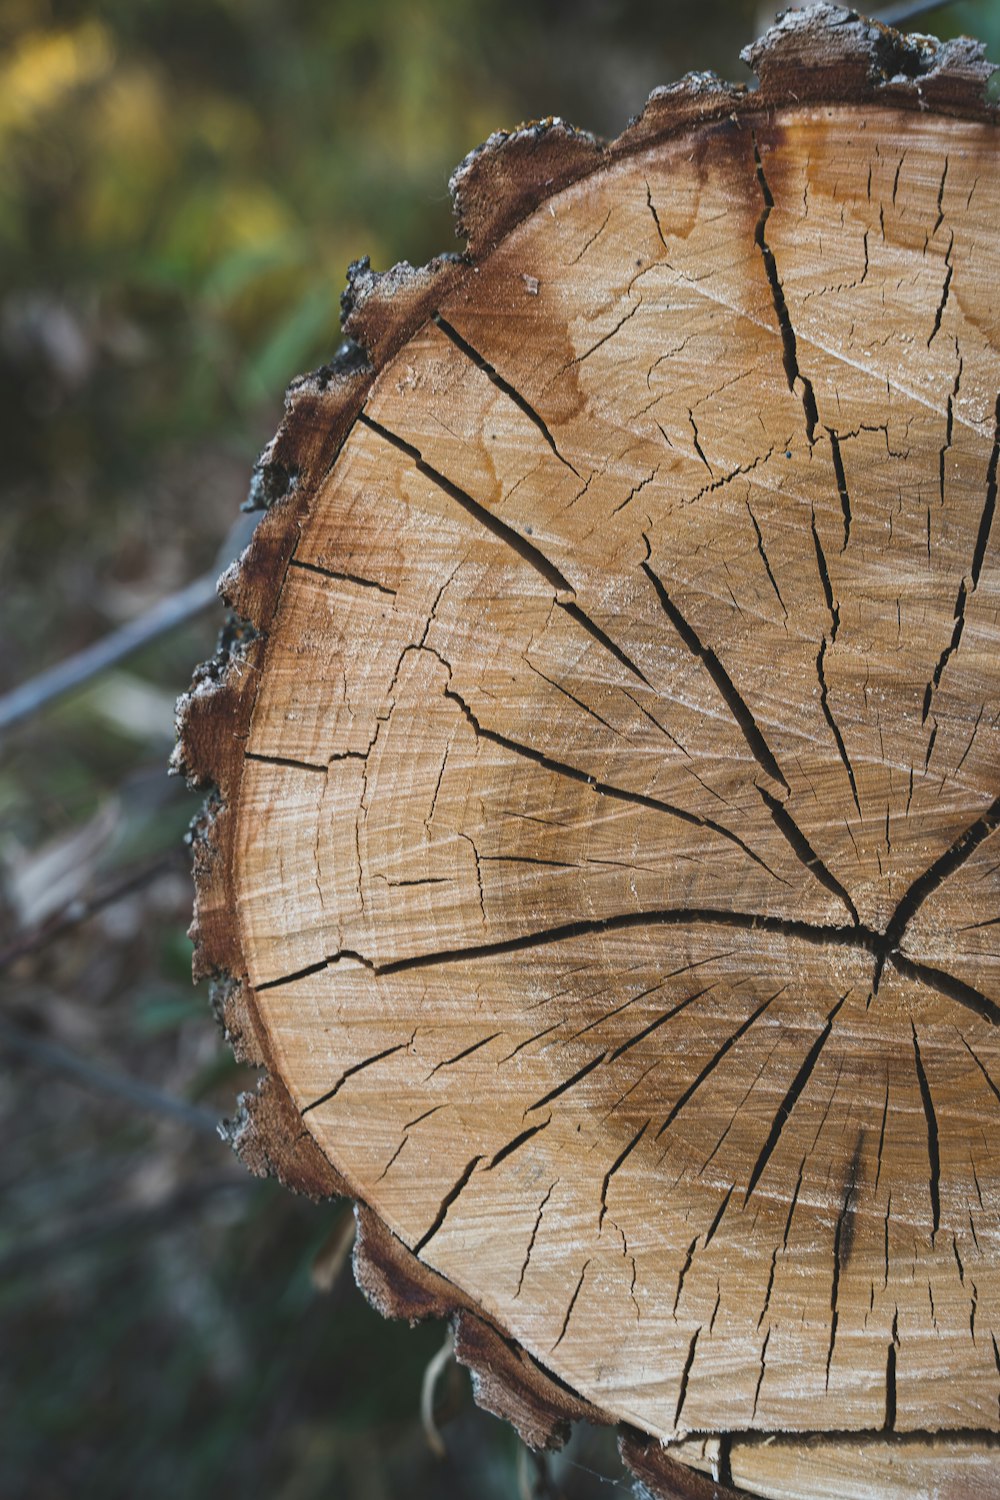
169	614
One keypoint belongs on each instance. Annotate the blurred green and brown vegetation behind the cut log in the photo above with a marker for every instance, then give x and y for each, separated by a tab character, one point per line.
182	187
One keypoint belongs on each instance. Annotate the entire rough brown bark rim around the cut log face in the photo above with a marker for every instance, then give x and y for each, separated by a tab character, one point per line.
827	55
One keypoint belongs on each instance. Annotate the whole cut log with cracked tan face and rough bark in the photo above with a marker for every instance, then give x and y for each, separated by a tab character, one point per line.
605	848
